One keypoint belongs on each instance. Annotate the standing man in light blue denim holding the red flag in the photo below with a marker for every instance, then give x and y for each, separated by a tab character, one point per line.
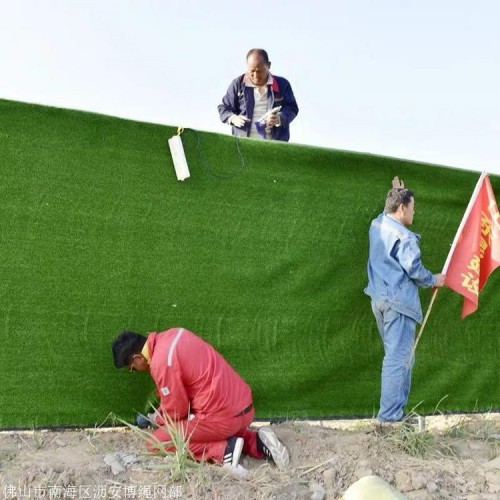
395	272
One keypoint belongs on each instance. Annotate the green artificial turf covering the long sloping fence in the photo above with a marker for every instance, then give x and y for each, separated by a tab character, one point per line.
262	252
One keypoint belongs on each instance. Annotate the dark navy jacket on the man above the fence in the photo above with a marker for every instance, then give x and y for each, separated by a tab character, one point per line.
239	100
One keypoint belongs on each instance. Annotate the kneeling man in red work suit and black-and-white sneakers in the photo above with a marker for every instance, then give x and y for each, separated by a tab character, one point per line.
202	394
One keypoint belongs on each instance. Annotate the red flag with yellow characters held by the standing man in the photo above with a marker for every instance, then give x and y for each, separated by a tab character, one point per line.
475	252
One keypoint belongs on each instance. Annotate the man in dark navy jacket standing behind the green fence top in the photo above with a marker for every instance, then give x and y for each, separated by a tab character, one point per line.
259	104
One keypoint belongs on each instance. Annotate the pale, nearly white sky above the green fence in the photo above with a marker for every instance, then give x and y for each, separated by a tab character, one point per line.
411	79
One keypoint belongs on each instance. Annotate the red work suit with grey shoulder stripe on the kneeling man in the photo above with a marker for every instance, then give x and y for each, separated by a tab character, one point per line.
191	377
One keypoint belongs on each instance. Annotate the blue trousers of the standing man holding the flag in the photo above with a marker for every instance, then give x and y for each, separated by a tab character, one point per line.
398	335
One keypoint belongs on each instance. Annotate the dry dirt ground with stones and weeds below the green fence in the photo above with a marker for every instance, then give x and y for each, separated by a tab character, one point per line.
455	457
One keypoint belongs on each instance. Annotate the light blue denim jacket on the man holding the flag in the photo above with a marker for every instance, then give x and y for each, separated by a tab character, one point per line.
395	270
